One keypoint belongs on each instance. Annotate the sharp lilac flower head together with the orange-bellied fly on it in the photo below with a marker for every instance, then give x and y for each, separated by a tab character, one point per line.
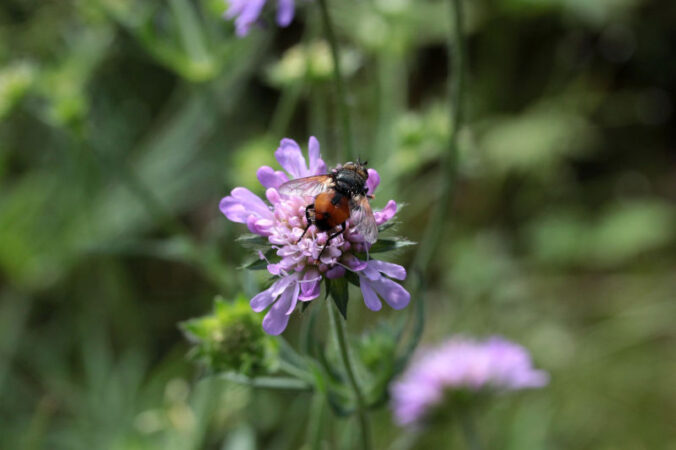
318	224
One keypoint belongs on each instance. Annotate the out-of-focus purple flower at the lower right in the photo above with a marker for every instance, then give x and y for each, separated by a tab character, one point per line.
461	364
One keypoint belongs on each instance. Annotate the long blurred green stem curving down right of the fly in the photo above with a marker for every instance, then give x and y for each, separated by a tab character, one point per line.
449	161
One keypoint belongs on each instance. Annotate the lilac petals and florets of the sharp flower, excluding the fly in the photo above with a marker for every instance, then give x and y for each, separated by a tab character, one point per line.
300	268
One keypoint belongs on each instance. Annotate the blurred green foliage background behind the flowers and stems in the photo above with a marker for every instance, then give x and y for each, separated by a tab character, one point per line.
123	122
